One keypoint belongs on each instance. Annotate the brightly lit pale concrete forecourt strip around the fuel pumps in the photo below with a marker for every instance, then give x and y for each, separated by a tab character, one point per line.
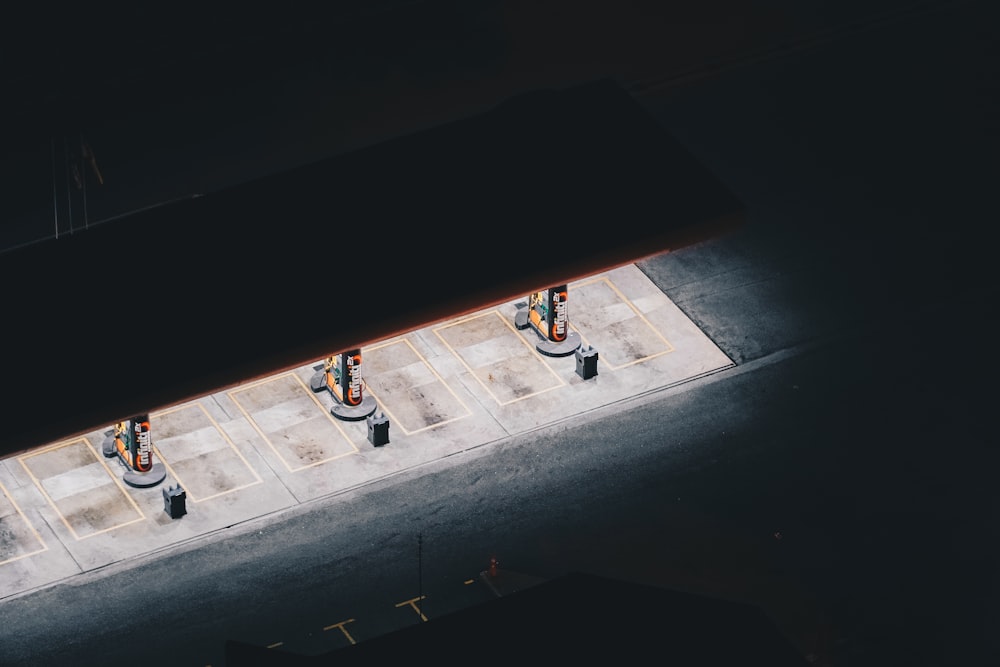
273	444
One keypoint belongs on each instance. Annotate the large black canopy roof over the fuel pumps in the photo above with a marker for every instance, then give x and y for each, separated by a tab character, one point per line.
193	297
